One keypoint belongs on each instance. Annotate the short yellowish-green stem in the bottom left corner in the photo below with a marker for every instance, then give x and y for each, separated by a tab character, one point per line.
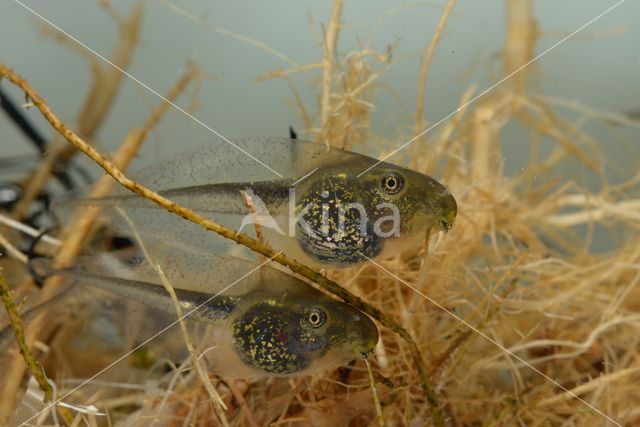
32	364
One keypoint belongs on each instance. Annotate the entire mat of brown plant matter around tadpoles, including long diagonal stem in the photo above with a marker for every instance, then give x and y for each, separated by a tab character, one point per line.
511	318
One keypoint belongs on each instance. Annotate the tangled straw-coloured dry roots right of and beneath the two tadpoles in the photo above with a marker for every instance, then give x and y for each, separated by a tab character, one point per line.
516	317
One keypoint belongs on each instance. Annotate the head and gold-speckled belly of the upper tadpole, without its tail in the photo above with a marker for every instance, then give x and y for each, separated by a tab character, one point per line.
336	195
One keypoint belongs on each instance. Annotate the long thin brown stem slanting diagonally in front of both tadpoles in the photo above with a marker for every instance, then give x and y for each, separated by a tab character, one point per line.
240	238
